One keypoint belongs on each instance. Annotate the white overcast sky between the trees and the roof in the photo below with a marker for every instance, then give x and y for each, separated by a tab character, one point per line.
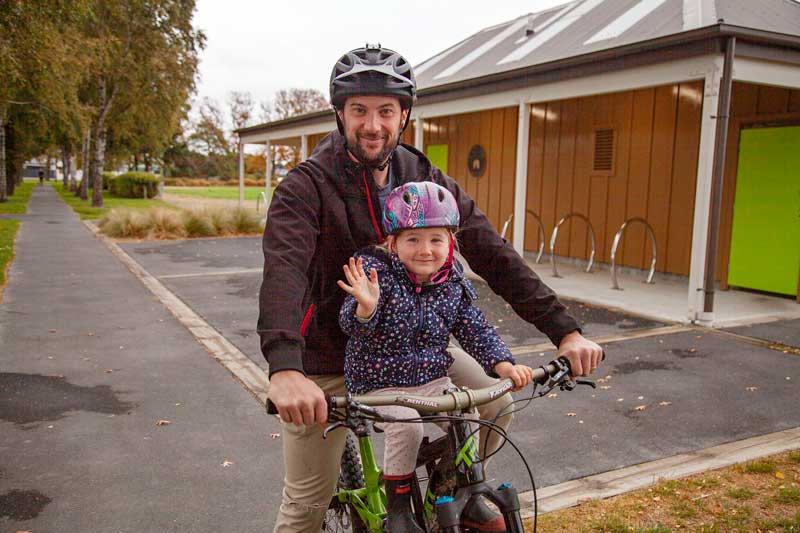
262	46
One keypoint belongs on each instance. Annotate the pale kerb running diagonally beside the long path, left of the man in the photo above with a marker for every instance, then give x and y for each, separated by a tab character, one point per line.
250	375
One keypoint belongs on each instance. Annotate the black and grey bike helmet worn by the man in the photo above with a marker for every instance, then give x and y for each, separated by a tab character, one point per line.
373	70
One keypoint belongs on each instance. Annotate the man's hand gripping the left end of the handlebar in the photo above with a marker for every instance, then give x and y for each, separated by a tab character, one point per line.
298	399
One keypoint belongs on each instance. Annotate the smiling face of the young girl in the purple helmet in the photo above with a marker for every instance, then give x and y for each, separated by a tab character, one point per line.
423	251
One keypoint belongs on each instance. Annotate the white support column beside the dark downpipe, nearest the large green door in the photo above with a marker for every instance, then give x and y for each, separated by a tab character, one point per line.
702	202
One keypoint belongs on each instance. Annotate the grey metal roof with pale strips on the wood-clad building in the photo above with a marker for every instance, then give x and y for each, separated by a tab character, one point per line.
585	26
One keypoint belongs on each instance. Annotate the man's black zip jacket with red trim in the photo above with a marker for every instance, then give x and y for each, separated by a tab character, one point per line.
320	216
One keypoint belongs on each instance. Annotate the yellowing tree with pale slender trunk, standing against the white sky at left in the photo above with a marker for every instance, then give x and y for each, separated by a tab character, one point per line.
143	70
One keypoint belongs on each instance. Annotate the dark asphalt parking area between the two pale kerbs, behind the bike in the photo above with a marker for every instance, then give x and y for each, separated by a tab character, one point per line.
658	396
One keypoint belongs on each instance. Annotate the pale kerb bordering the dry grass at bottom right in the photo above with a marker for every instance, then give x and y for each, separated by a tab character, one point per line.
643	475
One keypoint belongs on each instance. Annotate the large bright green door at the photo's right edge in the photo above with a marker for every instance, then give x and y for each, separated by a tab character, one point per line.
765	241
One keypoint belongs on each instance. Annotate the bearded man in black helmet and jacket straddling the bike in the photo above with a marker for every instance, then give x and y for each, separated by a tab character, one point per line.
322	212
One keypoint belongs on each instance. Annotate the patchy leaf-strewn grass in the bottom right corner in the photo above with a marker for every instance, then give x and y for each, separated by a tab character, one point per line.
759	496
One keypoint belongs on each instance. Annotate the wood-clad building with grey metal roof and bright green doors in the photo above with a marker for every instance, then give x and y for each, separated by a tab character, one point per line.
684	114
